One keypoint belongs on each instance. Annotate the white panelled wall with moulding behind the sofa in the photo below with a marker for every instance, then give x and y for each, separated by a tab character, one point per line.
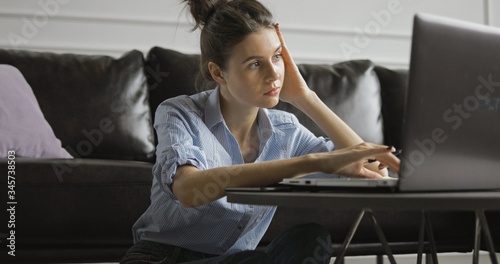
317	31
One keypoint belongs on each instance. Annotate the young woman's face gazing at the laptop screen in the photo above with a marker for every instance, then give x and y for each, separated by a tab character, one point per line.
254	72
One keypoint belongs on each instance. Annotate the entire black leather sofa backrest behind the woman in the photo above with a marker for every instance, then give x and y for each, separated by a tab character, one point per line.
103	107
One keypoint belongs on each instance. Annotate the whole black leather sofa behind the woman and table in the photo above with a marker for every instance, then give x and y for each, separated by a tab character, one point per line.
82	209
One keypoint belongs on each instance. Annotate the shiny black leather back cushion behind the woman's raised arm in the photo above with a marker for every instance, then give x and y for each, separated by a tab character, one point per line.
352	90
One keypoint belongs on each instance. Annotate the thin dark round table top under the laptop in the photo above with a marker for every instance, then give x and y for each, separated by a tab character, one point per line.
485	200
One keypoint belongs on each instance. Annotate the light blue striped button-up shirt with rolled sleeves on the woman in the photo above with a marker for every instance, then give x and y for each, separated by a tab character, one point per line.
191	130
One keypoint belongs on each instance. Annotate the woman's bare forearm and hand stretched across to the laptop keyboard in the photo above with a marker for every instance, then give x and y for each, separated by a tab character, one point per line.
193	187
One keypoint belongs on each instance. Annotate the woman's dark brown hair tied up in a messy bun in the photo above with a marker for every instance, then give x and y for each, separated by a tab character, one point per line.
223	24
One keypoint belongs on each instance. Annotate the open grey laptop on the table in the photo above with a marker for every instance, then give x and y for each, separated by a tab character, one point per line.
451	133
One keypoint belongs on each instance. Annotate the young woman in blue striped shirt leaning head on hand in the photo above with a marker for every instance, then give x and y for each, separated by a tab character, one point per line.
227	137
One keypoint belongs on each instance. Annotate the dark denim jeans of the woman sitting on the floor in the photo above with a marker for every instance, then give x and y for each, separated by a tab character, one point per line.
301	244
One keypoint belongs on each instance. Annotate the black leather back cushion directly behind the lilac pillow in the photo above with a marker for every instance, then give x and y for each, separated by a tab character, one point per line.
97	105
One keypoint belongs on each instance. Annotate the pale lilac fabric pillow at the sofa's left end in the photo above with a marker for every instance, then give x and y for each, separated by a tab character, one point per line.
23	128
